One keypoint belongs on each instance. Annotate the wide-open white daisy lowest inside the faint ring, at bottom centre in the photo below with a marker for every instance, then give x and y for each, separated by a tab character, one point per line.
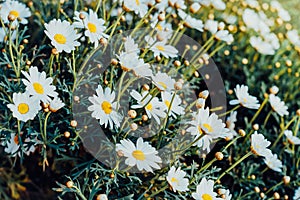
143	155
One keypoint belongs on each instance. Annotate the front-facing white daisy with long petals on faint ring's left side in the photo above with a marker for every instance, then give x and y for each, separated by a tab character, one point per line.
104	108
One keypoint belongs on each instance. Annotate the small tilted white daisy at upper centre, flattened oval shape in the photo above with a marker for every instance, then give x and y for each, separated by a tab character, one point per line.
161	48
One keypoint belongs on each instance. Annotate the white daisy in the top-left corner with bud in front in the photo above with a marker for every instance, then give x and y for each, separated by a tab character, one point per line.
15	8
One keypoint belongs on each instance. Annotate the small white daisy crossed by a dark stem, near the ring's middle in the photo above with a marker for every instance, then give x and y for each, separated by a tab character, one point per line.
172	102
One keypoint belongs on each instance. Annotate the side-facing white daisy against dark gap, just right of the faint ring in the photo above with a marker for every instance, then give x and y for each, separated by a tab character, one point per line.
244	98
